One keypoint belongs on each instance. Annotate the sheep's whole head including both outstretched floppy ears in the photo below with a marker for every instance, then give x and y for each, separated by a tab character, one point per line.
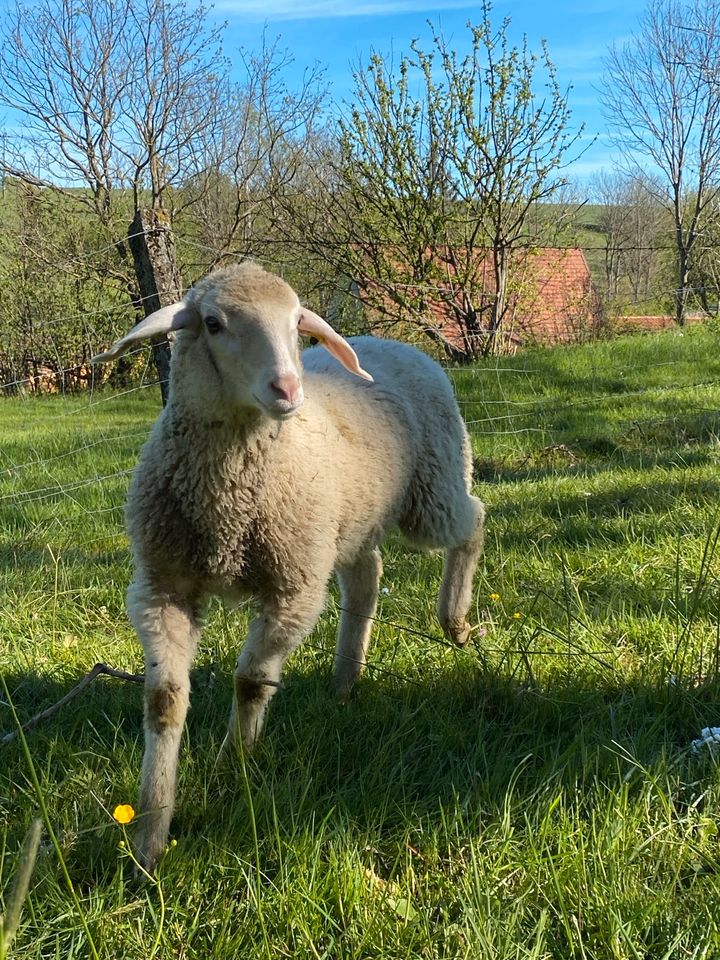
249	321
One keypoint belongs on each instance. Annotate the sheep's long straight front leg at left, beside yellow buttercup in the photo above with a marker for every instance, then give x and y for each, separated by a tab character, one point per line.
168	631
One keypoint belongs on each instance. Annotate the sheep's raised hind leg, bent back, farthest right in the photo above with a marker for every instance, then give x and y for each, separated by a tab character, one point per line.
460	565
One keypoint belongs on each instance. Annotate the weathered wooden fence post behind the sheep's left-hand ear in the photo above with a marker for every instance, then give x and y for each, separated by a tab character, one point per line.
153	248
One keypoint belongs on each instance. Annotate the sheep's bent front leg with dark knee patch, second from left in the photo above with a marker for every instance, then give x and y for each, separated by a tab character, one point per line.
271	639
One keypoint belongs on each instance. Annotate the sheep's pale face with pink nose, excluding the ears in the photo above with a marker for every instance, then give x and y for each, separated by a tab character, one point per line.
253	346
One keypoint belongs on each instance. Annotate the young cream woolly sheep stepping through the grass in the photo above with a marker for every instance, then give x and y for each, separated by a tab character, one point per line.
263	475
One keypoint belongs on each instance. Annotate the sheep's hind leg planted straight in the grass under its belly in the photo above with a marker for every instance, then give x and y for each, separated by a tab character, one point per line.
359	583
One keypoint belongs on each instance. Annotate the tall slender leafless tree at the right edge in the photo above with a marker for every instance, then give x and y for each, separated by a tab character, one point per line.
661	92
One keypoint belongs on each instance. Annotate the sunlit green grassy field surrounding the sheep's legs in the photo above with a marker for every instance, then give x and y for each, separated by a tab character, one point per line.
533	796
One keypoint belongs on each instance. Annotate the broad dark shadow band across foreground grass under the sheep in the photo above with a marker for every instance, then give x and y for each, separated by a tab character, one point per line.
400	756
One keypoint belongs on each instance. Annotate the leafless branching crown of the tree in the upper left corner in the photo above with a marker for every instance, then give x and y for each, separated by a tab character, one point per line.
114	94
